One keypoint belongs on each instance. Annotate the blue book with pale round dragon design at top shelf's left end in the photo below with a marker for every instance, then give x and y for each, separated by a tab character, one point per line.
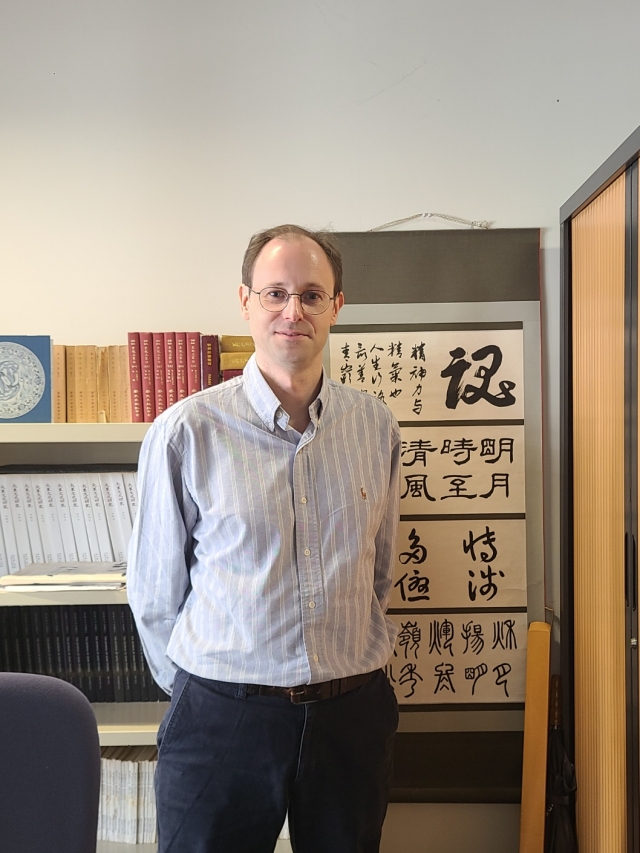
25	379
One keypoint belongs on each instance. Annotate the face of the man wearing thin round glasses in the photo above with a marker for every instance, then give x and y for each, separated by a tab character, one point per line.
290	339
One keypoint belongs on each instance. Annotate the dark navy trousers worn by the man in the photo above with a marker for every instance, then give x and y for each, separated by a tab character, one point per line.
231	765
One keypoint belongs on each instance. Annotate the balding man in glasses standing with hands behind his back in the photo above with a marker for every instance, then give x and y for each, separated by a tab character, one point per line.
259	573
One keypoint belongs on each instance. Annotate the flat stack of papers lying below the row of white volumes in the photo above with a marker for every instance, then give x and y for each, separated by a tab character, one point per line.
41	577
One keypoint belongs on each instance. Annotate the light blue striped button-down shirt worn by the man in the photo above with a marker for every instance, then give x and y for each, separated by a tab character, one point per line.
260	555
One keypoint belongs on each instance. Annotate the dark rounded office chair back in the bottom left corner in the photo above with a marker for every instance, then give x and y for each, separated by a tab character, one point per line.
49	766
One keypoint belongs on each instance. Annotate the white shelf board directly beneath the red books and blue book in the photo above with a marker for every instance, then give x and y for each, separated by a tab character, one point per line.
72	433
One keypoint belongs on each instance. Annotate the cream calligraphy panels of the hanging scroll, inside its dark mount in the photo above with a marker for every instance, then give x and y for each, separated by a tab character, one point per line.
460	589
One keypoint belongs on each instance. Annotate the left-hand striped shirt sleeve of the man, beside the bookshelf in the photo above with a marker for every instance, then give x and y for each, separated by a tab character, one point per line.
160	549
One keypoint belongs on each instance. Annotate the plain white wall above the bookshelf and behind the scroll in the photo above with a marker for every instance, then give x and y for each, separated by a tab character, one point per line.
143	141
